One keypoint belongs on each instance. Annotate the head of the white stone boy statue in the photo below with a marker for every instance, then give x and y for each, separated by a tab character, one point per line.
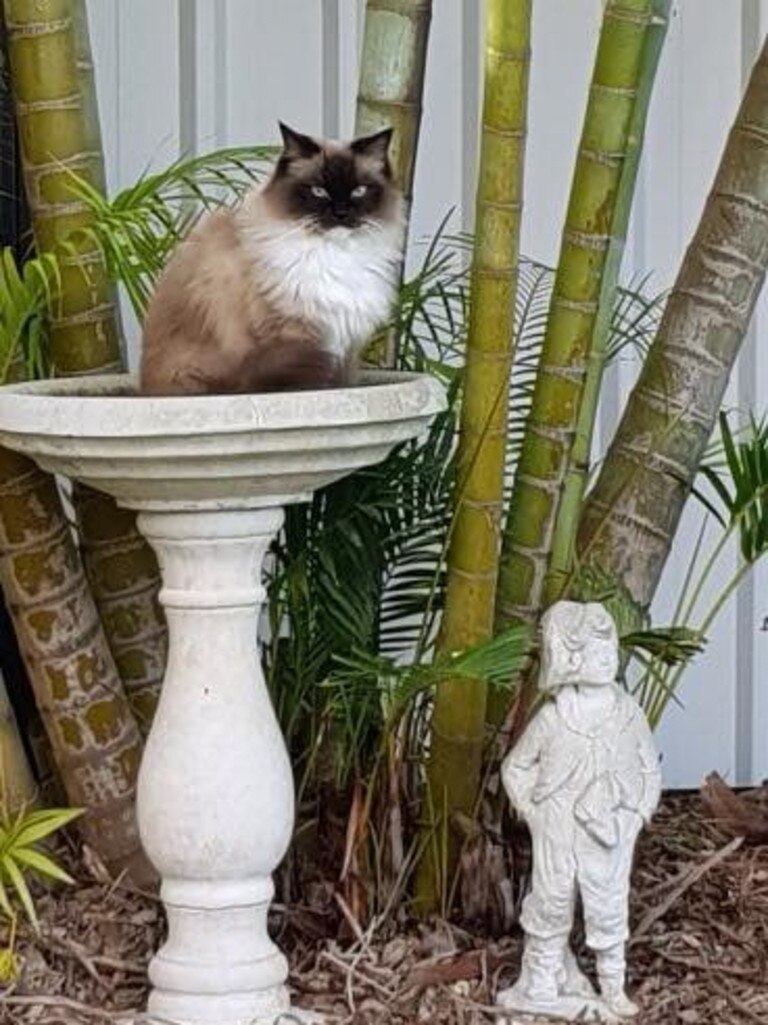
580	645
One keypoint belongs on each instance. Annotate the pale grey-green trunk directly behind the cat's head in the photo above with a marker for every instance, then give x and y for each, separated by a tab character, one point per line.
392	76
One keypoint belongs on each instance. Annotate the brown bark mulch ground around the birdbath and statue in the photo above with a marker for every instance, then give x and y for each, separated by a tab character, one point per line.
699	955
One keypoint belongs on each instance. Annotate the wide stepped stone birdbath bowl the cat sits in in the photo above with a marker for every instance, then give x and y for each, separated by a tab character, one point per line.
213	453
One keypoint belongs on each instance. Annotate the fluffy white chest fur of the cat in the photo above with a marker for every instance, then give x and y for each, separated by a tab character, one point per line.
344	281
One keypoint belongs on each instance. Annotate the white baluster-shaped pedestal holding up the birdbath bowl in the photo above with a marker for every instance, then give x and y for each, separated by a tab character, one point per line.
216	790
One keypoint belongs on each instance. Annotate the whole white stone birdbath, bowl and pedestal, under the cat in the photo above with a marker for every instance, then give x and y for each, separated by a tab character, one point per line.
210	477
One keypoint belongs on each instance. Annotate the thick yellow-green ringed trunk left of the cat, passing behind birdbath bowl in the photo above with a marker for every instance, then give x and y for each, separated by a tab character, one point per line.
59	124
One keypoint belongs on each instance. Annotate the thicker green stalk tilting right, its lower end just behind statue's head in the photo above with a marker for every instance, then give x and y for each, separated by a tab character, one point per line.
607	140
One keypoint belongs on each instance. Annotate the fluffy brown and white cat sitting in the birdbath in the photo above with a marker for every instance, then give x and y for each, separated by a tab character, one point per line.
281	293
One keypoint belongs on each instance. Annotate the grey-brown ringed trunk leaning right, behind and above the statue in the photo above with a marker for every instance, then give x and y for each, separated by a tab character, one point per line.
634	510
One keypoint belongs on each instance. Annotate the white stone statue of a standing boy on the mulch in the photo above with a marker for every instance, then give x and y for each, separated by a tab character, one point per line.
585	776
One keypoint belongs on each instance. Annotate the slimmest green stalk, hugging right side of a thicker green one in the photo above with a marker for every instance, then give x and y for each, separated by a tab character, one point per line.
567	524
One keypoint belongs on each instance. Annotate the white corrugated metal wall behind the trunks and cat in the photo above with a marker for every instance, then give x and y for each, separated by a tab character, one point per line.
184	76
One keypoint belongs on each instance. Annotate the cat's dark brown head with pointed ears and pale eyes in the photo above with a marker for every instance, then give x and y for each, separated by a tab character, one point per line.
335	185
